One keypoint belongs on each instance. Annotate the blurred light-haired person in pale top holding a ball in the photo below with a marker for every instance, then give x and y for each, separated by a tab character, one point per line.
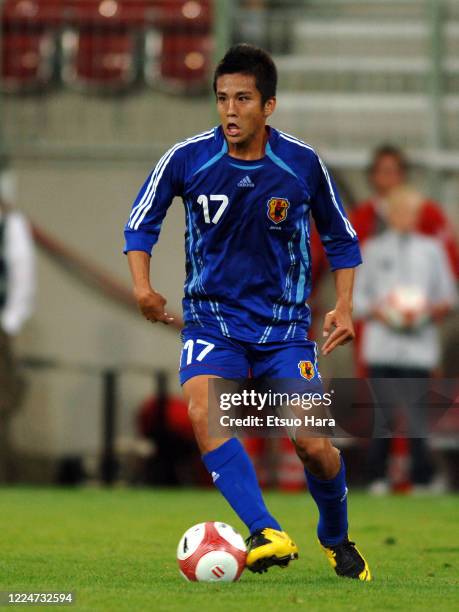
403	290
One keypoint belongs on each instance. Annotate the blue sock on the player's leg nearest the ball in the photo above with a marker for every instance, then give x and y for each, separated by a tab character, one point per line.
234	475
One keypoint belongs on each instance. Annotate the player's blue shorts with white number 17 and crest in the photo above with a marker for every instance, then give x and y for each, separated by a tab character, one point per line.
208	352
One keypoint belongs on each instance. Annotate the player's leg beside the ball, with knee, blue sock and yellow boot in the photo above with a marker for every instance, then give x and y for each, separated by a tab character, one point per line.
233	474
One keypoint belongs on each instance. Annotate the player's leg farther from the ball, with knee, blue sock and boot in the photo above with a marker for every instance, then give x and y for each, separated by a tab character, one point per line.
326	479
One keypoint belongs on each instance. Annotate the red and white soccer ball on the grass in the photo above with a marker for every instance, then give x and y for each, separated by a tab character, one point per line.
211	552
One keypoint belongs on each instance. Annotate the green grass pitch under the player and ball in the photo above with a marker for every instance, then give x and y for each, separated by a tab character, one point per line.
116	551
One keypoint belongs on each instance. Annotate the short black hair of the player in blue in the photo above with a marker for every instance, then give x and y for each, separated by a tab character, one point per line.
248	59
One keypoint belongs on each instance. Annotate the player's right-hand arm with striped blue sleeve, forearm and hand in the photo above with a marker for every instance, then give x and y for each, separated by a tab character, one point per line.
341	245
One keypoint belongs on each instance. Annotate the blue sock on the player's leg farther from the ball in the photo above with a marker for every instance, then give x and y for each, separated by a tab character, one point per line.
331	499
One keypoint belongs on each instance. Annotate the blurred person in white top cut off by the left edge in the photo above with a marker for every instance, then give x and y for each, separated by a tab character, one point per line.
17	288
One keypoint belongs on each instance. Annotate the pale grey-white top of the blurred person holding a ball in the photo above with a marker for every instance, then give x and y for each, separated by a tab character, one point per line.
392	260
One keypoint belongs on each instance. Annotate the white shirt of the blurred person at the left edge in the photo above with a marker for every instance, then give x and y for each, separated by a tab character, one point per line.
21	277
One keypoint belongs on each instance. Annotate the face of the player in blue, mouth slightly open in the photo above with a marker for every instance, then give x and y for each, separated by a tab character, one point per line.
242	114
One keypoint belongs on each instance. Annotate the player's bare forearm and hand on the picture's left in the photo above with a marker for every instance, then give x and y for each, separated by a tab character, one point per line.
151	303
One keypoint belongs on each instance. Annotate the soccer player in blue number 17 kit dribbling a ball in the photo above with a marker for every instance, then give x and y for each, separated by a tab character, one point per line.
248	191
